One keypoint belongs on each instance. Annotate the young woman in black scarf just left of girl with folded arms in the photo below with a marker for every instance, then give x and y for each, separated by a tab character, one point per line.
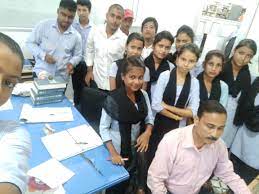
157	61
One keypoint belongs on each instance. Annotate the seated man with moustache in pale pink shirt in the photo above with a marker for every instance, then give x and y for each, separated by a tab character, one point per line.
186	157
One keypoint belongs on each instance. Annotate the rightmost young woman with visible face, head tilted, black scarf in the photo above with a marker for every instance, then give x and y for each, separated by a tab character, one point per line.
237	76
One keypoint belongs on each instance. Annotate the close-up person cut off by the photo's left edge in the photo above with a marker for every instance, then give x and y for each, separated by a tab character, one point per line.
15	145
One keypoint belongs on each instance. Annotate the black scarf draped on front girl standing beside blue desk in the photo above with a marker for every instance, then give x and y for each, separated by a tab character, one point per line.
121	108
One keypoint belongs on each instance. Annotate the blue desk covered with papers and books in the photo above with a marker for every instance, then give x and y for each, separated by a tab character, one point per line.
86	179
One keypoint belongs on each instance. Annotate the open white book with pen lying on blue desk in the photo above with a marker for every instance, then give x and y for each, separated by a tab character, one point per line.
71	142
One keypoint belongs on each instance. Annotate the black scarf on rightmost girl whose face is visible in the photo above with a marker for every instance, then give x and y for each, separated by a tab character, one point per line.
242	82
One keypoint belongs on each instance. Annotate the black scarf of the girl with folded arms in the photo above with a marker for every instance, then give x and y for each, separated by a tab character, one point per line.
166	124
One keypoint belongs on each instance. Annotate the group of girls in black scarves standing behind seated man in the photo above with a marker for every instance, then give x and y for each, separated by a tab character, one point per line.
175	96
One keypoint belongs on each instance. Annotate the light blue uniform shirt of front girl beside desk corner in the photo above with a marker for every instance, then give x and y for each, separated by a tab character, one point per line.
109	128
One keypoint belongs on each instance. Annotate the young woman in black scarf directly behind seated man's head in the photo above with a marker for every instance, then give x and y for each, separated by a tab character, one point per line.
211	87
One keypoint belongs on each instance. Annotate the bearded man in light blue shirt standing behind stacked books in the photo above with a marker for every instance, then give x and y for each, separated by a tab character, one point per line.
55	44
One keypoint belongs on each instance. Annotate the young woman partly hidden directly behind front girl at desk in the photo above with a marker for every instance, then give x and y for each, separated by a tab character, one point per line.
134	47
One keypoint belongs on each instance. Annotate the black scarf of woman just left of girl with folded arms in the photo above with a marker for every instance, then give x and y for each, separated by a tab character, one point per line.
154	74
